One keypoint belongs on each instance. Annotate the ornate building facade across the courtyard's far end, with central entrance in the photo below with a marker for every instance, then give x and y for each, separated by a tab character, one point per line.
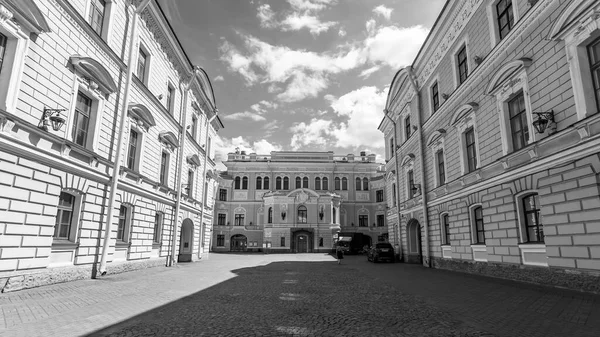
297	201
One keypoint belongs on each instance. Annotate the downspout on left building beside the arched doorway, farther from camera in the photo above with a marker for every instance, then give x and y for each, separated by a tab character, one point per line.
182	135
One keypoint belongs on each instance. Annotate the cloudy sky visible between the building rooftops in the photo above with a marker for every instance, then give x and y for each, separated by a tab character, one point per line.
301	75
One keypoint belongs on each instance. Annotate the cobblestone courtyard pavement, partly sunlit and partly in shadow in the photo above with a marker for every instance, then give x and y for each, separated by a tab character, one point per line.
297	295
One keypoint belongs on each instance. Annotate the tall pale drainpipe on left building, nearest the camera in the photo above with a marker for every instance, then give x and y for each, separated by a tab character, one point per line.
120	126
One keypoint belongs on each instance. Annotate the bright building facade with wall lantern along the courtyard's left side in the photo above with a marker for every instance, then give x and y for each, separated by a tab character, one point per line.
106	128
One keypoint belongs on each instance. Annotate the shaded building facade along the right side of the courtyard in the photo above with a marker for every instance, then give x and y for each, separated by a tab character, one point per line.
492	136
